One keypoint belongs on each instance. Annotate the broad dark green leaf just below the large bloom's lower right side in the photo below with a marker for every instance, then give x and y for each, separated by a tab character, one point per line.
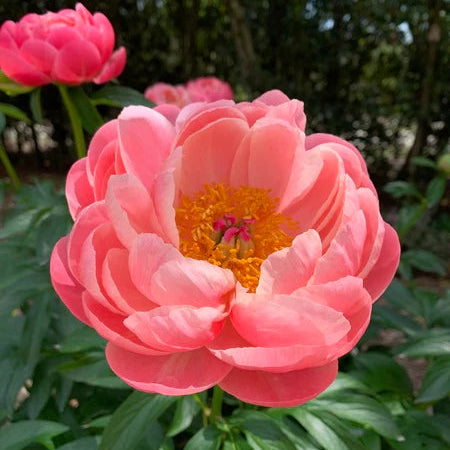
382	373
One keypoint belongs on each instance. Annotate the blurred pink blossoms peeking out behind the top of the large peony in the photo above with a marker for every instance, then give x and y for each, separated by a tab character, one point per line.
203	89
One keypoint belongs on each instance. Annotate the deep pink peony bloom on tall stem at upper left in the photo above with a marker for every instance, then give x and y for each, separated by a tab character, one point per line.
69	47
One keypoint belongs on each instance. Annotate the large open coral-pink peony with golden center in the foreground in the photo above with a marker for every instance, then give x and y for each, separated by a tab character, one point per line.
225	249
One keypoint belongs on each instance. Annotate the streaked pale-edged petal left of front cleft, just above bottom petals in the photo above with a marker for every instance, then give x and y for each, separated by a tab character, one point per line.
176	328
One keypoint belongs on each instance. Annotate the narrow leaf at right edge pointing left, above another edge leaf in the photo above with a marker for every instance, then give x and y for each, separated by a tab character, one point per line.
433	342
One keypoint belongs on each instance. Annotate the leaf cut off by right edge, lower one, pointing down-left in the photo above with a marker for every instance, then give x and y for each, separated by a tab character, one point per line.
436	382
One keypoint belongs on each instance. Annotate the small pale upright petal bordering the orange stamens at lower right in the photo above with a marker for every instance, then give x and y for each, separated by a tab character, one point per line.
288	269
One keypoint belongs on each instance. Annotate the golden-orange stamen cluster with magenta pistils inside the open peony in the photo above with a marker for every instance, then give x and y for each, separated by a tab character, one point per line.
233	228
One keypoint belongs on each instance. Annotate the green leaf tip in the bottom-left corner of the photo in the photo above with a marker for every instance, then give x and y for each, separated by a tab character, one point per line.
18	435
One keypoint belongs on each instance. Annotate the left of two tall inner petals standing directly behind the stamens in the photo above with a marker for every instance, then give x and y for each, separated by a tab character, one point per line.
208	154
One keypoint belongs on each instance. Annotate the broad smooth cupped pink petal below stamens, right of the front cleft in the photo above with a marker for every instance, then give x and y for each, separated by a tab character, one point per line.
282	320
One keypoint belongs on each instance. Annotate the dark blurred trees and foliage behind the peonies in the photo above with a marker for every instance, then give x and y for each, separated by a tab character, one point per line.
372	72
